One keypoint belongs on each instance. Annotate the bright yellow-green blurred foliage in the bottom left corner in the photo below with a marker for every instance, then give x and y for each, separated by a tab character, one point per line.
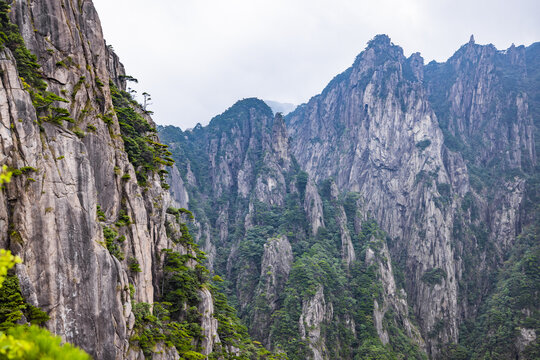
34	343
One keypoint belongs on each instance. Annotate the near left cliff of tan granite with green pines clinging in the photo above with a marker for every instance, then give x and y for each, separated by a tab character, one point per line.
87	209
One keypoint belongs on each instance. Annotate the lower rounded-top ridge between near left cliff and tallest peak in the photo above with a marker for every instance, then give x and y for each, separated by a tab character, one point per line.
290	259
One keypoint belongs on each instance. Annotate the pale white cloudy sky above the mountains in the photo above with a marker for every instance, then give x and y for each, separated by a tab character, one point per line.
198	57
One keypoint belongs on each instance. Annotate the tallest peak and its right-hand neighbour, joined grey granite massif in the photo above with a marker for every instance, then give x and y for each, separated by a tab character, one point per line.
420	144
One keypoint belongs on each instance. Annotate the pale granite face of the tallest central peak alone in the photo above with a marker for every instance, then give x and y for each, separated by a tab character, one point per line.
373	130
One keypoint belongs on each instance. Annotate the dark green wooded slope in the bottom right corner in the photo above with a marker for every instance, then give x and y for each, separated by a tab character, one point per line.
513	305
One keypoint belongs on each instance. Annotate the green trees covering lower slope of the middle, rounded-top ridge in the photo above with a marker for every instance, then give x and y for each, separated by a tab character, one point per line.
351	292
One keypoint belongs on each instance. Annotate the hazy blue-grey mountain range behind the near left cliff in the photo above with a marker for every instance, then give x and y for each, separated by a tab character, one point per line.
387	216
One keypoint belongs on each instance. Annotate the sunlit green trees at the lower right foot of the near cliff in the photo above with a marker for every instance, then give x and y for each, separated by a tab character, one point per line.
176	320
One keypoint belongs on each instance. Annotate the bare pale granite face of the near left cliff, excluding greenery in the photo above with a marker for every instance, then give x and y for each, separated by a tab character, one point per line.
48	214
